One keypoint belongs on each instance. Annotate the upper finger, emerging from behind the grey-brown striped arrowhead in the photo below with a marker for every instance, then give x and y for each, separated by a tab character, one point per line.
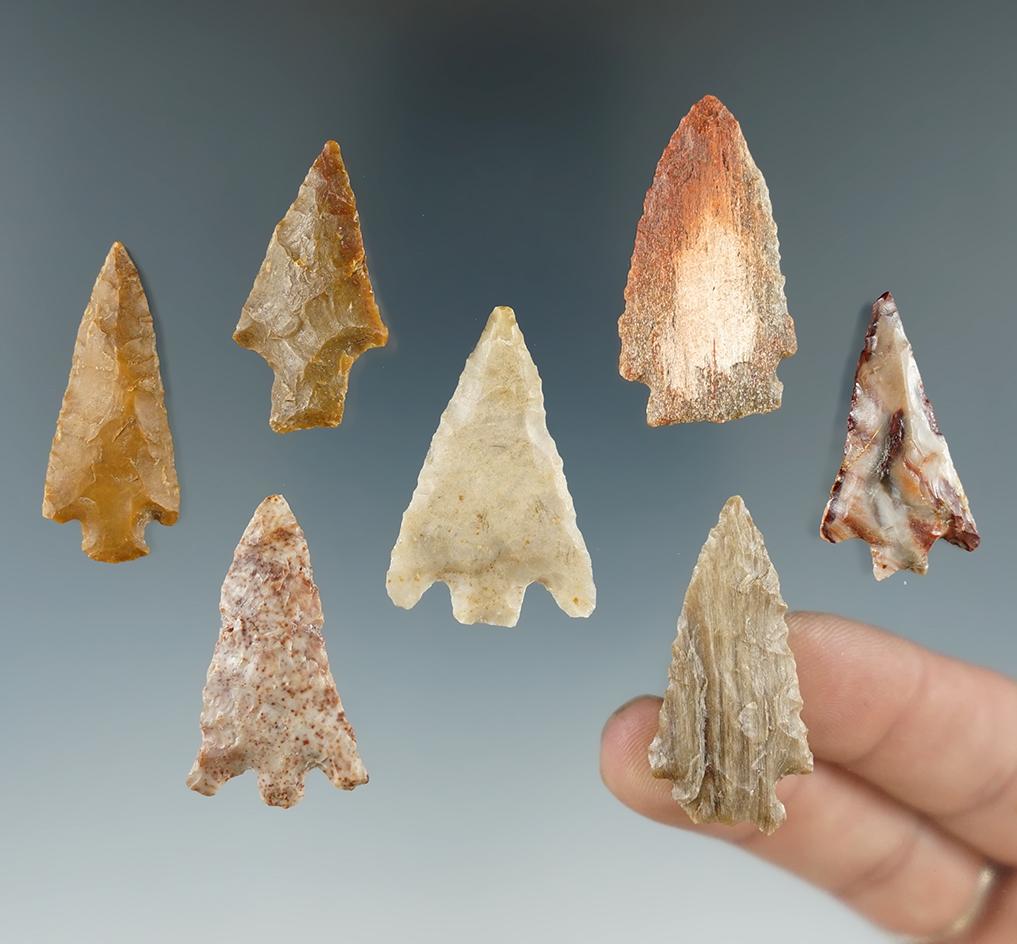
932	732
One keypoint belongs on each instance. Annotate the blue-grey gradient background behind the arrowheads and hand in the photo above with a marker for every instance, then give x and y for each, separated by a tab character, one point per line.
499	157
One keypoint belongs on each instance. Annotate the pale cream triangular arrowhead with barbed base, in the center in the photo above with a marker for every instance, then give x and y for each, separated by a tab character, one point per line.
492	512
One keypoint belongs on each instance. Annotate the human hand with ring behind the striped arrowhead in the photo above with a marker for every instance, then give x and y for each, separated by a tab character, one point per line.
914	801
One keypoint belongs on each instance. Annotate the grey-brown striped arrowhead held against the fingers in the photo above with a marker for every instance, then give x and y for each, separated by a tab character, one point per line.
731	726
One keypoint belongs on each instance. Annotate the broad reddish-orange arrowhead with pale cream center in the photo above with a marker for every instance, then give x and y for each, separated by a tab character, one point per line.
706	321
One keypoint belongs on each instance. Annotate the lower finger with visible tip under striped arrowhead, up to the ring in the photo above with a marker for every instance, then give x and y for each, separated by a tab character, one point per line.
882	859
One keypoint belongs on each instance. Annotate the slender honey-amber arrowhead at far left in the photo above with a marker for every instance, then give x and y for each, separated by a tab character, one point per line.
111	466
